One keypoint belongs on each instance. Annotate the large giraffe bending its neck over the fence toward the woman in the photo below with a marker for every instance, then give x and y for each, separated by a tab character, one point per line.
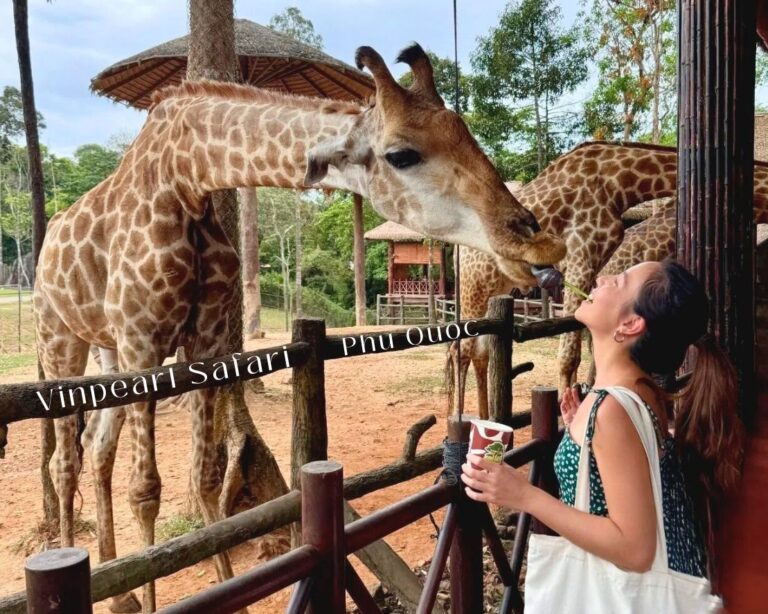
140	265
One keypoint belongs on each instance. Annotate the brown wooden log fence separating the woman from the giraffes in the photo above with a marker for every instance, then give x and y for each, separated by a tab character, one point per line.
318	568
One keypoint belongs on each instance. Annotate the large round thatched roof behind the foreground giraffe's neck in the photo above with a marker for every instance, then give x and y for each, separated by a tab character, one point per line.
267	59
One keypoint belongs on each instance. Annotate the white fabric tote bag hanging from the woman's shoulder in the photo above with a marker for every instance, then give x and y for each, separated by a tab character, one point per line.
564	579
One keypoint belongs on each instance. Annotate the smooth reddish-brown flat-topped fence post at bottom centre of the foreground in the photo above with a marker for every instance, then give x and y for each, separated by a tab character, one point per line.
322	519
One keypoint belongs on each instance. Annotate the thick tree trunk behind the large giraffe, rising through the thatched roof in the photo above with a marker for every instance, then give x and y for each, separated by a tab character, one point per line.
251	475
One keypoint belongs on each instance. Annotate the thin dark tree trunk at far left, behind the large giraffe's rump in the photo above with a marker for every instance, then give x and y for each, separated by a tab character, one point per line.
47	441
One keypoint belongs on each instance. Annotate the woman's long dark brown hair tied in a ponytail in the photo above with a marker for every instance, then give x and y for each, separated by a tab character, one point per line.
708	433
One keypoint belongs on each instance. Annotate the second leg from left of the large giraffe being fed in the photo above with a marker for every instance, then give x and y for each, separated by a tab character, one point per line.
102	434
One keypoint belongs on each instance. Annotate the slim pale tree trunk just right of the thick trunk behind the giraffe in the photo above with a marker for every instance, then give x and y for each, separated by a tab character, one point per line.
249	223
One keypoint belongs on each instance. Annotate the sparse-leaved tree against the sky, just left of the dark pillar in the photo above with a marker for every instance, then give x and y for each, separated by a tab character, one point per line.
633	40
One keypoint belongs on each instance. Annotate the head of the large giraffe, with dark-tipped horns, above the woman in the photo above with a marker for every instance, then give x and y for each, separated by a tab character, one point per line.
424	169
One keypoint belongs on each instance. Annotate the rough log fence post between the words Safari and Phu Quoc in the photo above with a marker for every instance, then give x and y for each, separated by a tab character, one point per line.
309	435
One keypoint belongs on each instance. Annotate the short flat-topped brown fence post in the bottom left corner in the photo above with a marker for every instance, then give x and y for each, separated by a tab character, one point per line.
59	580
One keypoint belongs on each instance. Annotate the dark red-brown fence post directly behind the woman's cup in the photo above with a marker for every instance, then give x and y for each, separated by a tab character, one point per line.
466	556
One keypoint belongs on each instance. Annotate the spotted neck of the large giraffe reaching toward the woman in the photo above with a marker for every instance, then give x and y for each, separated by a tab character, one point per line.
220	143
